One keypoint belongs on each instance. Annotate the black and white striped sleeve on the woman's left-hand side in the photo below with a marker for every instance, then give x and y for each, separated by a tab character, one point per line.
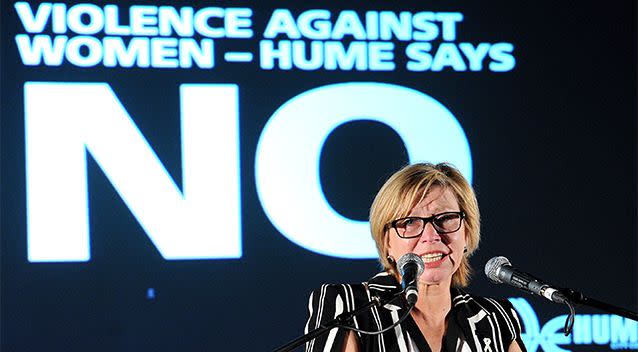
325	304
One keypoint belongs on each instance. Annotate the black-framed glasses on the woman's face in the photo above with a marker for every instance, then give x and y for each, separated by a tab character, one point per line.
443	223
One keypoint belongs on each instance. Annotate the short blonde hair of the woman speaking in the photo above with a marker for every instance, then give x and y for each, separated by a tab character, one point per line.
405	189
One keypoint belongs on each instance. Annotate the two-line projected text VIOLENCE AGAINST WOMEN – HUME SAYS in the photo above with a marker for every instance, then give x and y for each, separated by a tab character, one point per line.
165	37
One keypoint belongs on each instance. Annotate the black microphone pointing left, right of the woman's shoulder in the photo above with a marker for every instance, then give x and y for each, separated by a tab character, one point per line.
499	270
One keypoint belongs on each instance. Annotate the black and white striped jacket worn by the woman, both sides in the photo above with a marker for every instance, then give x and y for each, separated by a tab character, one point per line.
479	324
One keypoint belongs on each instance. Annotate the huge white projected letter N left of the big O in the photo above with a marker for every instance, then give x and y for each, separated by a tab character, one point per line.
63	121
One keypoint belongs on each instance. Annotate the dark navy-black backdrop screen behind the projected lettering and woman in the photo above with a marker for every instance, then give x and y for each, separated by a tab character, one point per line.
553	145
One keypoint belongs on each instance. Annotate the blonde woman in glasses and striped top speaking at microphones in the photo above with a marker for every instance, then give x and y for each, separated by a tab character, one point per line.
429	210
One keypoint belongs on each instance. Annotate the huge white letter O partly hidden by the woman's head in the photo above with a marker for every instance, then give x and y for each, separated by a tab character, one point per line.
287	157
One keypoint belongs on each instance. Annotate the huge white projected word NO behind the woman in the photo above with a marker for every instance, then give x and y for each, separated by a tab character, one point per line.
65	121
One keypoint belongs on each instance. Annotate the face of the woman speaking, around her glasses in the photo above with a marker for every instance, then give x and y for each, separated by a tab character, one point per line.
441	254
